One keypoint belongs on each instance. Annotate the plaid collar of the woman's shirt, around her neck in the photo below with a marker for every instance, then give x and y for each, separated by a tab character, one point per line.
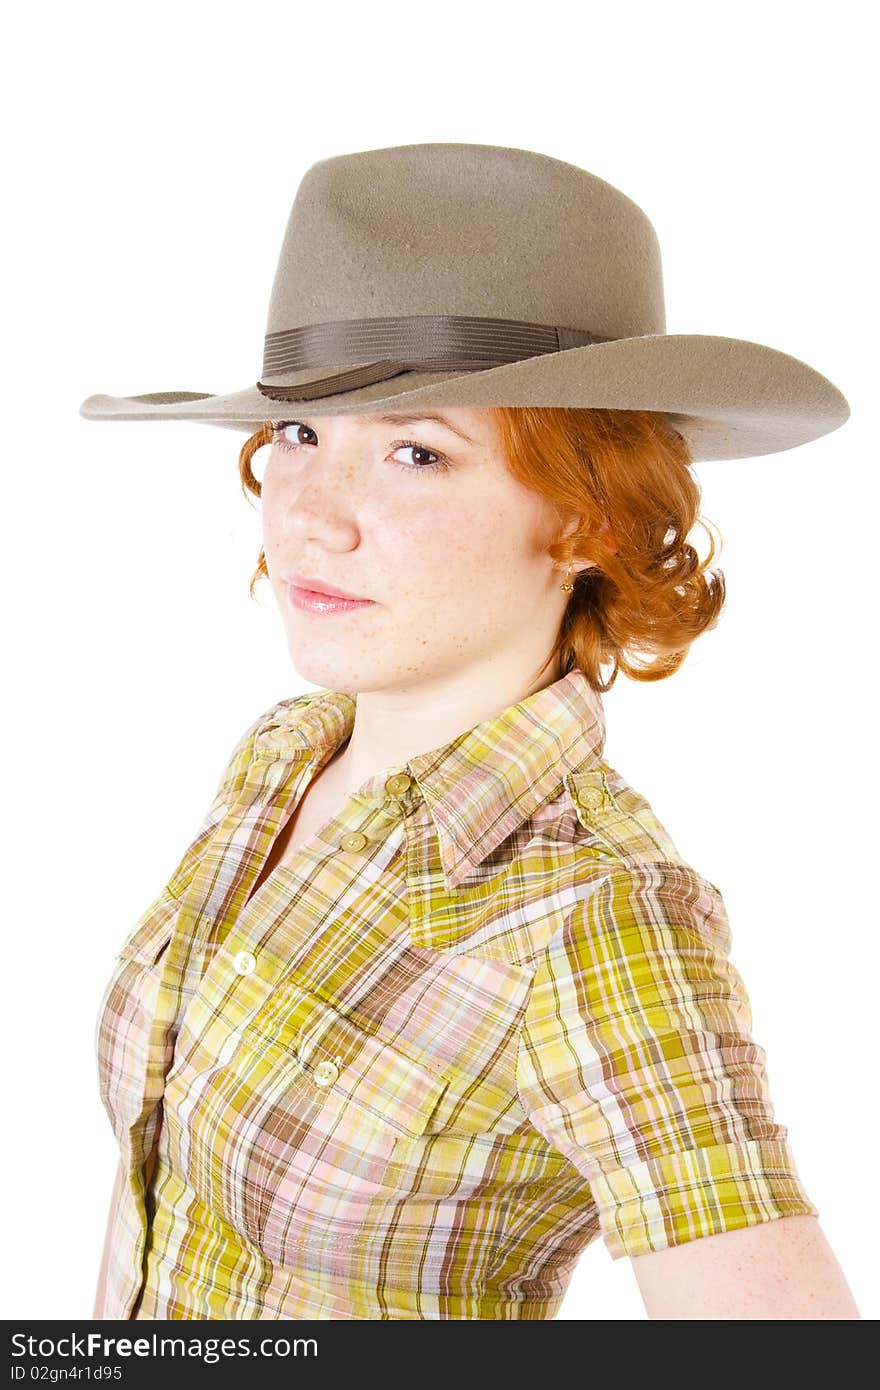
484	783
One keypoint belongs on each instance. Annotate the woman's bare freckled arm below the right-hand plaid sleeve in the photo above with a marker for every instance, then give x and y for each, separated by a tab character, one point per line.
778	1270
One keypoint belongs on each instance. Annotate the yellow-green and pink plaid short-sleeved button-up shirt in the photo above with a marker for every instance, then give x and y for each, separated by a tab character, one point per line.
483	1018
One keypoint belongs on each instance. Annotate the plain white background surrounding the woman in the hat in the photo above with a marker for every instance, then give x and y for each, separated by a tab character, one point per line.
152	159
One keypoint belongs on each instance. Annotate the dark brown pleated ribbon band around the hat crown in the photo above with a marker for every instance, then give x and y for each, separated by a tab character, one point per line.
391	347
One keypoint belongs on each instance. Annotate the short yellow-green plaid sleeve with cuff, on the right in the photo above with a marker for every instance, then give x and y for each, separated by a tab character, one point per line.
636	1061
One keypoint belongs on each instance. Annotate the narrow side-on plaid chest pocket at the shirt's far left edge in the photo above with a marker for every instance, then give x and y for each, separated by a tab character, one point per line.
129	1043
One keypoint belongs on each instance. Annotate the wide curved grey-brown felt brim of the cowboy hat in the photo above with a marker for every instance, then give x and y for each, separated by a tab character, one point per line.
728	397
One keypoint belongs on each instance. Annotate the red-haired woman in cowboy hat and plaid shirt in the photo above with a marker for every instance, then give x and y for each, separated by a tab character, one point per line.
433	1000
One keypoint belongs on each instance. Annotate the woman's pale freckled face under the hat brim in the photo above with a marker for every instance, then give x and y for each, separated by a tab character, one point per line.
446	543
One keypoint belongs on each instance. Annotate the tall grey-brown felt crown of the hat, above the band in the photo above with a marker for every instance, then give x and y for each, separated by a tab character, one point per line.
472	230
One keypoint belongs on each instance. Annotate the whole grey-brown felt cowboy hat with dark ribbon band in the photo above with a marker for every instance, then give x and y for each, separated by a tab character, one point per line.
440	276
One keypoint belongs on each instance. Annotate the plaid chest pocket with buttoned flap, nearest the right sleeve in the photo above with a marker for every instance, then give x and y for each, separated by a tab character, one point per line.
305	1117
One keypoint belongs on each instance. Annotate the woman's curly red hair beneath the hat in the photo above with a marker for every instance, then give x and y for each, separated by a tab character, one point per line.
626	476
